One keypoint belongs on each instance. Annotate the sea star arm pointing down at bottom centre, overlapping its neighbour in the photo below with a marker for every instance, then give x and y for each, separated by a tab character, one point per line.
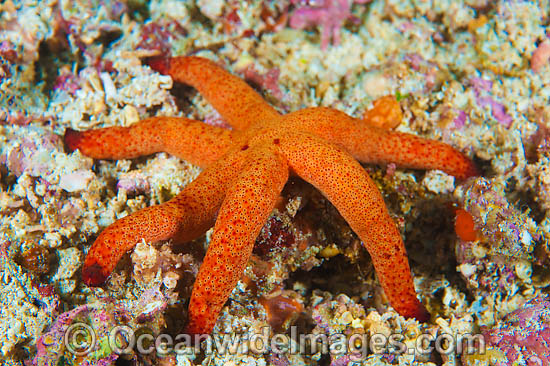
246	208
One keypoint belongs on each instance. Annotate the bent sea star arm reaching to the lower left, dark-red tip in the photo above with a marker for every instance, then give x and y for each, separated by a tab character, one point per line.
183	218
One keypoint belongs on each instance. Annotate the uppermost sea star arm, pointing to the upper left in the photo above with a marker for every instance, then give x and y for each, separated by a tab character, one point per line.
231	96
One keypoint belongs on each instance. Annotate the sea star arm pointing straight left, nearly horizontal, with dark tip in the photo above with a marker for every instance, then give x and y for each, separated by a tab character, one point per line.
194	141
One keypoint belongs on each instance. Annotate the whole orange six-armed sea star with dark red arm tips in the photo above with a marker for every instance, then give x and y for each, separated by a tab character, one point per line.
245	170
